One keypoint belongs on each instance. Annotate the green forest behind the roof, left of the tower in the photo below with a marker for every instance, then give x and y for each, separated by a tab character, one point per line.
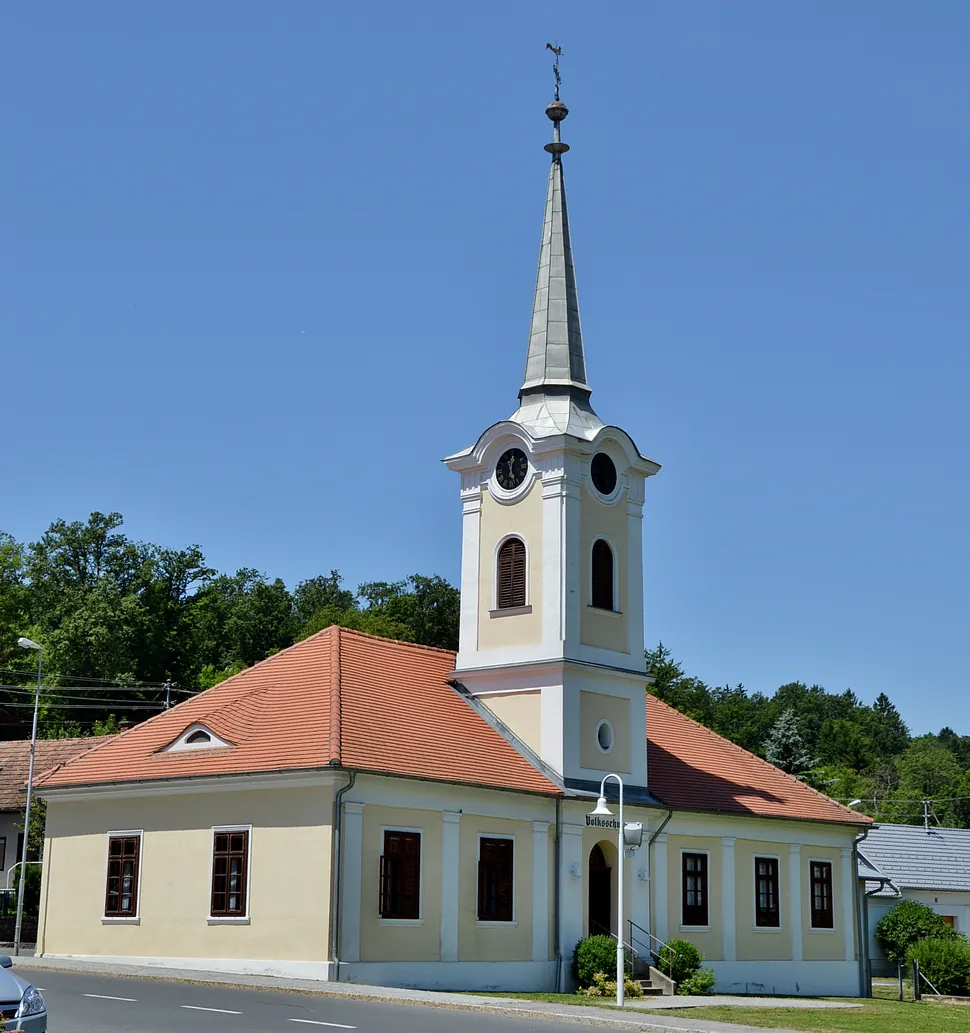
127	625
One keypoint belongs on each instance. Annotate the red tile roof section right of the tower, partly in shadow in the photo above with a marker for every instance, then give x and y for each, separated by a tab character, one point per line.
692	768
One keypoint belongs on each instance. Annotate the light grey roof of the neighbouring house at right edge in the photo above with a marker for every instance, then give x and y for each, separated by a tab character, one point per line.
914	858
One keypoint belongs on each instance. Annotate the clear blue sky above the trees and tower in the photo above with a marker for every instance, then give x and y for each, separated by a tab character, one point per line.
265	265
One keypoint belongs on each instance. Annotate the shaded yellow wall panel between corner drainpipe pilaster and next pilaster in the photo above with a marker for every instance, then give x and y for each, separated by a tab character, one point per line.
391	941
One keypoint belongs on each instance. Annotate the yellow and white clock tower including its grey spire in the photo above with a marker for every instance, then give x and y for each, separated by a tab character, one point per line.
552	622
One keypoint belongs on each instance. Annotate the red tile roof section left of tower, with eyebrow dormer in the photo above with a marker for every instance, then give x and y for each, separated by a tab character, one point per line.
338	699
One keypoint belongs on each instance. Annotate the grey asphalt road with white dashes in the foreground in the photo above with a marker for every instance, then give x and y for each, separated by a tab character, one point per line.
82	1004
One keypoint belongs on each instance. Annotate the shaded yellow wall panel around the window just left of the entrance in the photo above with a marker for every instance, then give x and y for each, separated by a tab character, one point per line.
488	942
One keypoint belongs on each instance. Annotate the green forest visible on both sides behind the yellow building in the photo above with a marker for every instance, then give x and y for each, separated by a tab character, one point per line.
130	625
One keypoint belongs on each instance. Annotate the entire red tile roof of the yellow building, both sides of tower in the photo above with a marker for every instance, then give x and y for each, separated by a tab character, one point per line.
343	699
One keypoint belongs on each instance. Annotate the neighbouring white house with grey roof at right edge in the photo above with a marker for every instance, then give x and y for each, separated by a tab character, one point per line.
915	863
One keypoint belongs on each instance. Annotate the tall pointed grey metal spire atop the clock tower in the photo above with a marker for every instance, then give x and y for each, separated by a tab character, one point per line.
556	365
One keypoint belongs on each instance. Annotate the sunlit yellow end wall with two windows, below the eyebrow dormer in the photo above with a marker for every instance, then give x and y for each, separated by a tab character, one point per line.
287	923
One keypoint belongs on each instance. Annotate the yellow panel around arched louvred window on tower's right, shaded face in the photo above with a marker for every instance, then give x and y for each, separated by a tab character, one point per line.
598	629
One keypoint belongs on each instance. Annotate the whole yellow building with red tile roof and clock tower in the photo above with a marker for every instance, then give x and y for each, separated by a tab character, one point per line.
366	810
